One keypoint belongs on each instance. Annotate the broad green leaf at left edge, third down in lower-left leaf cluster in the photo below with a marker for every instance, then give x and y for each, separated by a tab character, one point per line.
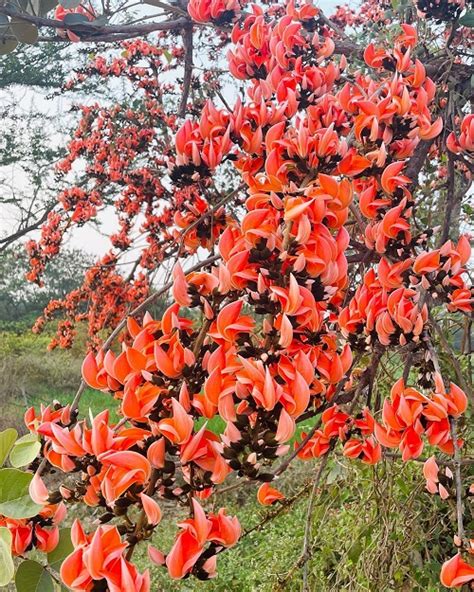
15	500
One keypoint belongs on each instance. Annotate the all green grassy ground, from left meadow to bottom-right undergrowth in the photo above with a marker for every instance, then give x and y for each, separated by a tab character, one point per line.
372	529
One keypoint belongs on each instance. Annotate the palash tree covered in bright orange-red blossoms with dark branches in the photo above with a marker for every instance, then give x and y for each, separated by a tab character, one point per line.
321	179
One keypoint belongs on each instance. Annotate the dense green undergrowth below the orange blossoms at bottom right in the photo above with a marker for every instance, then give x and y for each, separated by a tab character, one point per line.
373	529
